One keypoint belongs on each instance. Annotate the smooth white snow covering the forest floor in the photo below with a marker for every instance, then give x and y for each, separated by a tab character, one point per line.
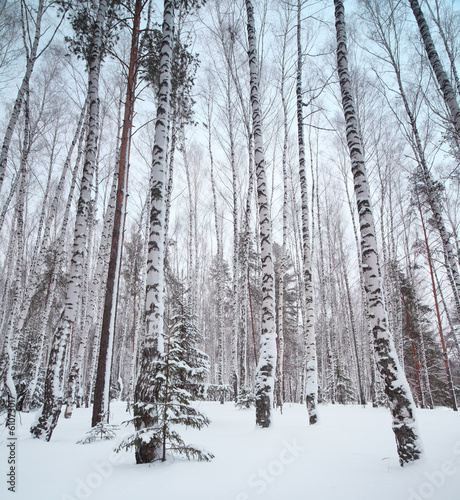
349	455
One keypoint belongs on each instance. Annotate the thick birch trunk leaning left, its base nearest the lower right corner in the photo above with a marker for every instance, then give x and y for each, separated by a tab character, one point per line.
396	387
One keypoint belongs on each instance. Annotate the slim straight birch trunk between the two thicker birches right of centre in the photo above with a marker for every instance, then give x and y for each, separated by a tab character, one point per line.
311	390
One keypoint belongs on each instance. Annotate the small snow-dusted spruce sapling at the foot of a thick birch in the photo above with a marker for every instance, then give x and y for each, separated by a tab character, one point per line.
177	372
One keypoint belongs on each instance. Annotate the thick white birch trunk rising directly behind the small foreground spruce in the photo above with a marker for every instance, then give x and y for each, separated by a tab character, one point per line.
145	408
